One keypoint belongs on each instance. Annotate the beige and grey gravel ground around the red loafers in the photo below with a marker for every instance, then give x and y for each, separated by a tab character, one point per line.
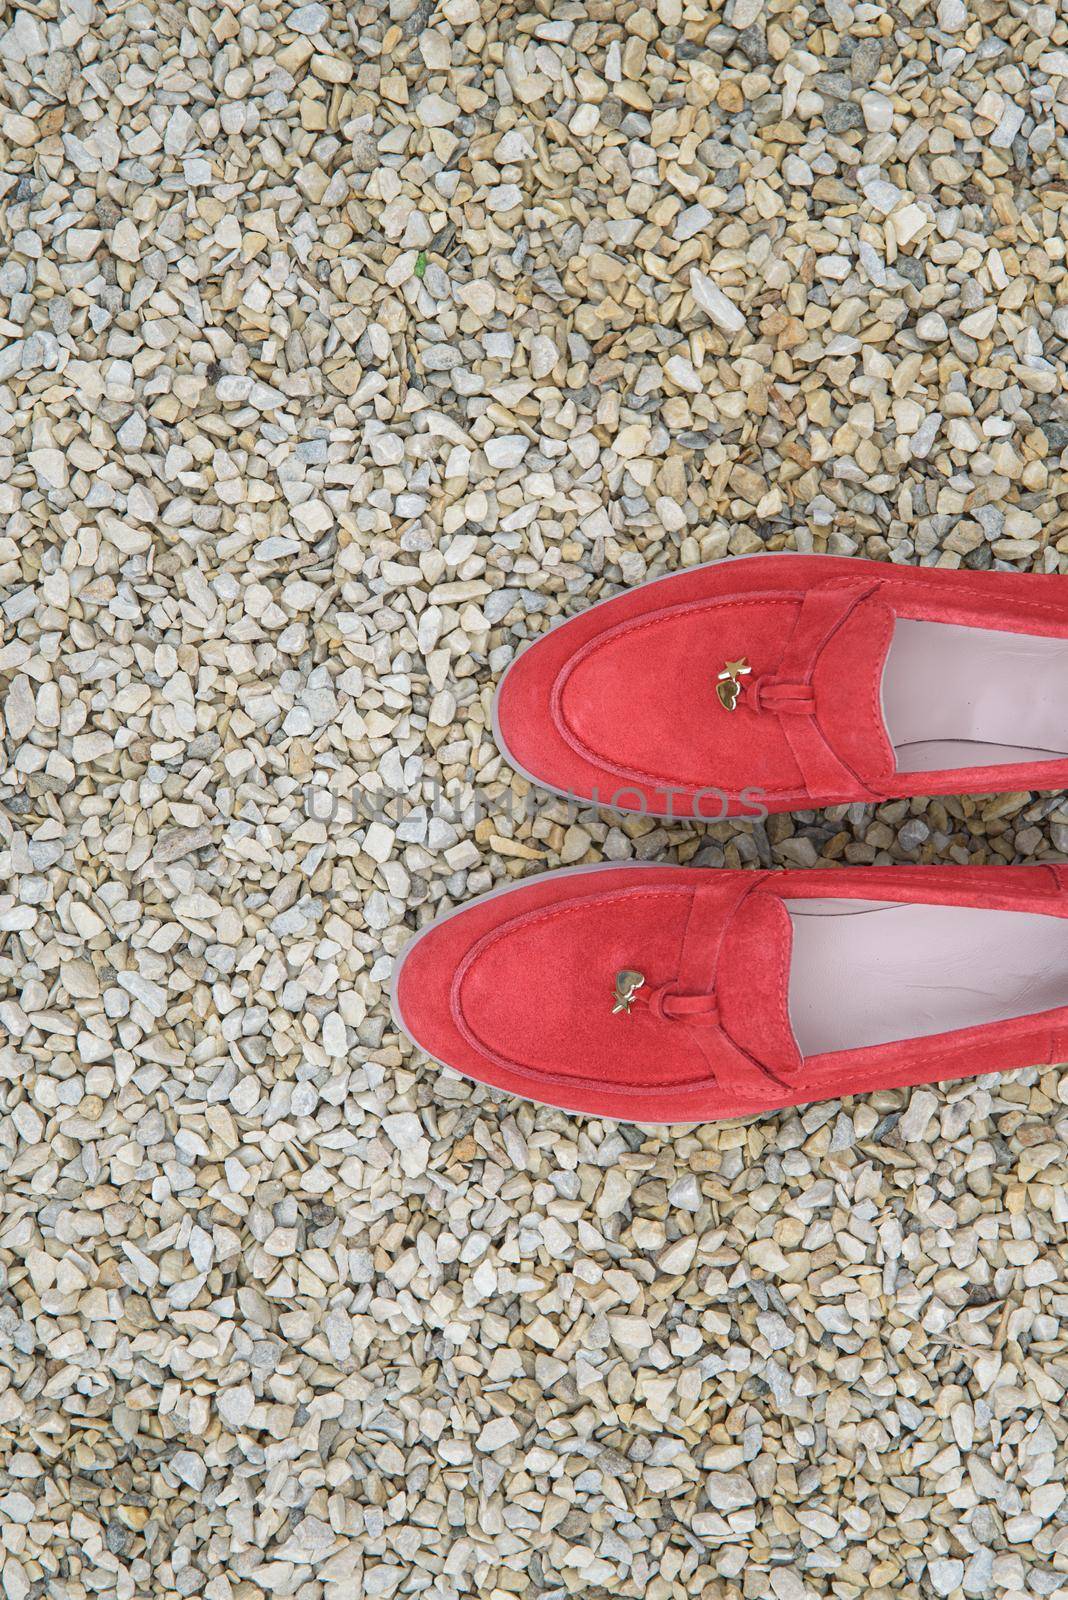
341	351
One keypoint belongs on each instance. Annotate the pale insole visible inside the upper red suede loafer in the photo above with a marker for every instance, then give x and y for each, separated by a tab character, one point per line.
968	697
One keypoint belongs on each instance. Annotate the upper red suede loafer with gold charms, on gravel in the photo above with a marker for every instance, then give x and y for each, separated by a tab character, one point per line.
784	682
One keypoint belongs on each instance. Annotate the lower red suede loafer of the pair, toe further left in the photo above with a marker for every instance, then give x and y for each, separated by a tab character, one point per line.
687	994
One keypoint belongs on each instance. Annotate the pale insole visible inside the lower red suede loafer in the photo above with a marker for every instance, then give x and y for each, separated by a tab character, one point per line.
872	972
